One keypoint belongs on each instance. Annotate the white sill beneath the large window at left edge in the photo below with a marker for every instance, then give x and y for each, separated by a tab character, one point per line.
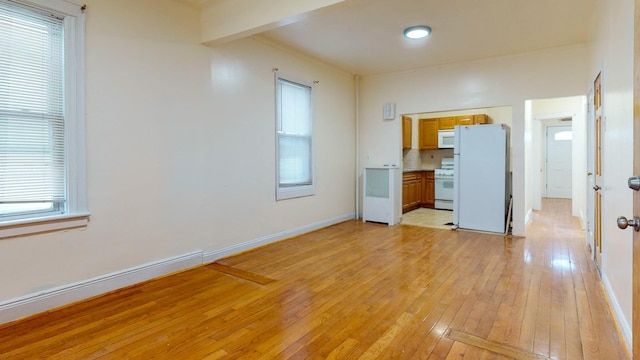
43	225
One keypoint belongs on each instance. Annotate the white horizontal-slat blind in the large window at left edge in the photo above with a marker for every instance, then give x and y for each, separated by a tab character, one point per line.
32	148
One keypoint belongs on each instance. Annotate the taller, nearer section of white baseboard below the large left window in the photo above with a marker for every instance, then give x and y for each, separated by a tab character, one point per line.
34	303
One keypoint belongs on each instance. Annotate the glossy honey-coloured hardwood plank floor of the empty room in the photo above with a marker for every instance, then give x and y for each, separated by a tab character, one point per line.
353	291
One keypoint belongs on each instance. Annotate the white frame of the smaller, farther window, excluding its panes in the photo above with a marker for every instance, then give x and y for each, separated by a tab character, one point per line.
294	191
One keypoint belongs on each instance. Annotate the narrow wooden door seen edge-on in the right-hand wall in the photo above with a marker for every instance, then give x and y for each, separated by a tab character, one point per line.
597	225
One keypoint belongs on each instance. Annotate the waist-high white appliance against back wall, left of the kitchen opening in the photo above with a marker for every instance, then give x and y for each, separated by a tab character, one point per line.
379	203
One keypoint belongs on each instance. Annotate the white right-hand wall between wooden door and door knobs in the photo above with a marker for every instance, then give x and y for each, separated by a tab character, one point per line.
613	55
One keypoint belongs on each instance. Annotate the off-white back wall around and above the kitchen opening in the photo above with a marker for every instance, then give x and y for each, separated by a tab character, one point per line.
506	81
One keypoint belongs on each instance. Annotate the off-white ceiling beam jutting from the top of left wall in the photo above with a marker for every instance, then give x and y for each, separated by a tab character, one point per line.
226	20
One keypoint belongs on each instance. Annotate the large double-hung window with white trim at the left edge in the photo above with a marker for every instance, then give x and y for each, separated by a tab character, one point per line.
41	115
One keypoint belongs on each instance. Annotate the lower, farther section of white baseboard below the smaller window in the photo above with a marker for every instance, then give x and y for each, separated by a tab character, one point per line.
211	256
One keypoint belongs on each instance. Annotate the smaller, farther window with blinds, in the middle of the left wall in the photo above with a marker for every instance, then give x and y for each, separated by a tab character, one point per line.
294	126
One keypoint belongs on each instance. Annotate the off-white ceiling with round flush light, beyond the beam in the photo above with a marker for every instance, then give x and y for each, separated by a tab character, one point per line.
365	36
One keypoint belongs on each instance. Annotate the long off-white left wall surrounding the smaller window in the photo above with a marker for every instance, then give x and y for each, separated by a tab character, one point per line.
180	147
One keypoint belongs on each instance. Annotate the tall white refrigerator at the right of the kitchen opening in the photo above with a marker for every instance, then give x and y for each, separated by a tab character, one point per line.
480	181
